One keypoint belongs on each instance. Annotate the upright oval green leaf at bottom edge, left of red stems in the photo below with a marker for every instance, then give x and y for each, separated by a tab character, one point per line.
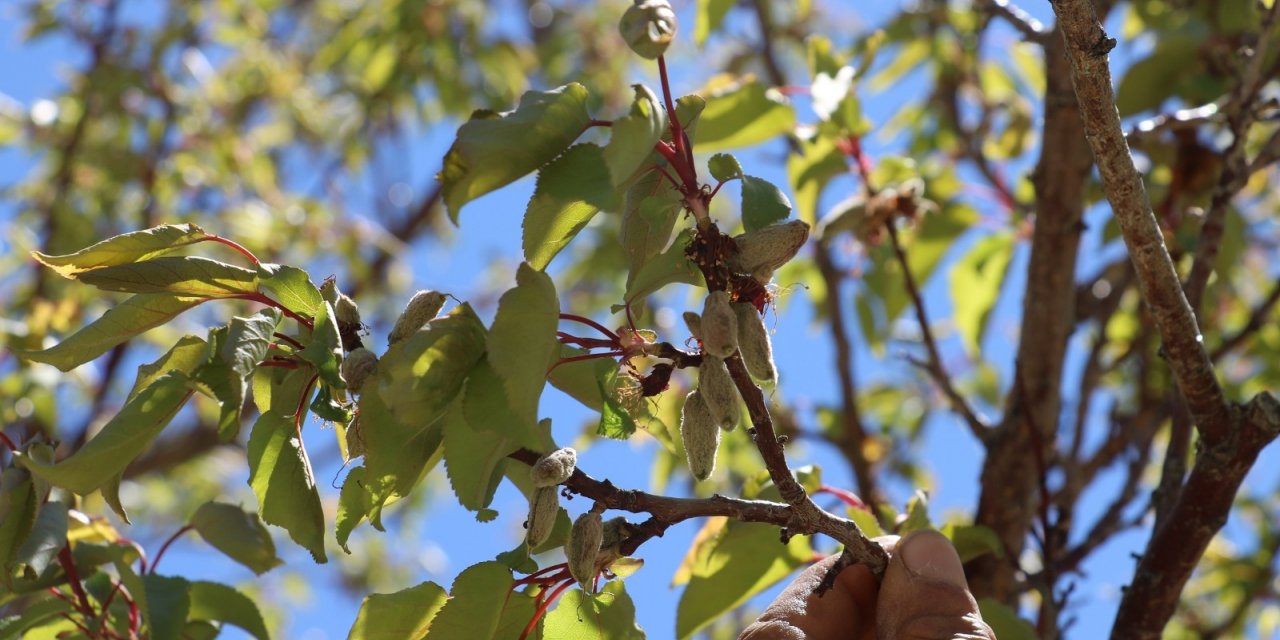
476	605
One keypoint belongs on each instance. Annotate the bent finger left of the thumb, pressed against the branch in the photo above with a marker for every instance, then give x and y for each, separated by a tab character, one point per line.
847	612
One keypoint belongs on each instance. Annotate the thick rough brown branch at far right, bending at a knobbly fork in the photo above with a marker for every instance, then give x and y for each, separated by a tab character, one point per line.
1232	437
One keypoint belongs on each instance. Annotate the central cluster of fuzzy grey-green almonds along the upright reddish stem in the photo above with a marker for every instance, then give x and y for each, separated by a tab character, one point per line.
725	328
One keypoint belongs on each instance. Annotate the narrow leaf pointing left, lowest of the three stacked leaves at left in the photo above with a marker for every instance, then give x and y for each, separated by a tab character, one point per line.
118	324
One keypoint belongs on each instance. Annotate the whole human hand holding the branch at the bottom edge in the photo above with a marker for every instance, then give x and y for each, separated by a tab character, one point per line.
922	597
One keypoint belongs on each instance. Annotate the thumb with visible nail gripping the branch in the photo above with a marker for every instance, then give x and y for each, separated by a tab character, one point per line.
925	595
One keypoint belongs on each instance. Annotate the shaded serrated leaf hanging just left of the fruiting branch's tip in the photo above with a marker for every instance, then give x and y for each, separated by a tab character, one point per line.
474	461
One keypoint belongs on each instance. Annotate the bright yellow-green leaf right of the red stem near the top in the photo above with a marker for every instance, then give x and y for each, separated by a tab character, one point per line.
743	116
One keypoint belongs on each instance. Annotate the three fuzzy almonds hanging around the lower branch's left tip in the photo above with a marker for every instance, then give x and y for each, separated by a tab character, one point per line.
593	542
